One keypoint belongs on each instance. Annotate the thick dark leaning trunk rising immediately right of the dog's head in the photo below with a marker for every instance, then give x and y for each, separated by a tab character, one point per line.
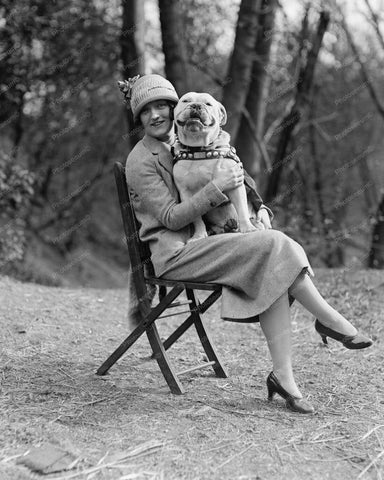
240	67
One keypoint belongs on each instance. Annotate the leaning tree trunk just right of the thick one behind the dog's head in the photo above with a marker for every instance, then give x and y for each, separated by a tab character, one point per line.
248	147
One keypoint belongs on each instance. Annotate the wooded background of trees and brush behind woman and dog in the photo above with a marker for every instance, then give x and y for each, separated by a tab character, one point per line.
302	84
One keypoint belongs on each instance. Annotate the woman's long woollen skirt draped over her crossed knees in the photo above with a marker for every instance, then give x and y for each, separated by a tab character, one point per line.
254	268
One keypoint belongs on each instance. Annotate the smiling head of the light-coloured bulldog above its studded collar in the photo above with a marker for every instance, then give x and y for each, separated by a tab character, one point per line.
198	117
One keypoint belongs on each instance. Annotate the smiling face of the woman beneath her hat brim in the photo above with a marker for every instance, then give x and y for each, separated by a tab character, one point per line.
156	119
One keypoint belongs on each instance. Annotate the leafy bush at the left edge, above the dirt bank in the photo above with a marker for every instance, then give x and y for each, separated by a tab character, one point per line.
16	191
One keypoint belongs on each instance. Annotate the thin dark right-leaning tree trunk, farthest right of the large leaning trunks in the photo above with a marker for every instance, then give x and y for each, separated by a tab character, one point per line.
303	87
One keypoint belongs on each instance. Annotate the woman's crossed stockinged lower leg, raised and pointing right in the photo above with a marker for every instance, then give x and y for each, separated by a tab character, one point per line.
305	292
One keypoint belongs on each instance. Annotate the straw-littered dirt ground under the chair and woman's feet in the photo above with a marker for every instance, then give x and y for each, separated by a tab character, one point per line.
127	425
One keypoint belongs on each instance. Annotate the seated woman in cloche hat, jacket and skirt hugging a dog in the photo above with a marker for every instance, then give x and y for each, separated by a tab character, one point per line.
258	270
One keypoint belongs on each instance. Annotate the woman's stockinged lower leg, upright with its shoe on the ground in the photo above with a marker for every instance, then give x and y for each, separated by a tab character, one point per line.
276	325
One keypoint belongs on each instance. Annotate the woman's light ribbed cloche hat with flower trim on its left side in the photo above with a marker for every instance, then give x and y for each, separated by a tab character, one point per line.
141	90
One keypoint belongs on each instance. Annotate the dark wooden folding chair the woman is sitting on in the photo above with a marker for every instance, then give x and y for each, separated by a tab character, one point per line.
139	256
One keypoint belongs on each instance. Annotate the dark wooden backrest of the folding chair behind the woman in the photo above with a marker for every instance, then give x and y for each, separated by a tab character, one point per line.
139	253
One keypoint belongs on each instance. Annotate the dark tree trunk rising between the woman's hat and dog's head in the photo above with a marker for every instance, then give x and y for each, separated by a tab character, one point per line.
175	53
